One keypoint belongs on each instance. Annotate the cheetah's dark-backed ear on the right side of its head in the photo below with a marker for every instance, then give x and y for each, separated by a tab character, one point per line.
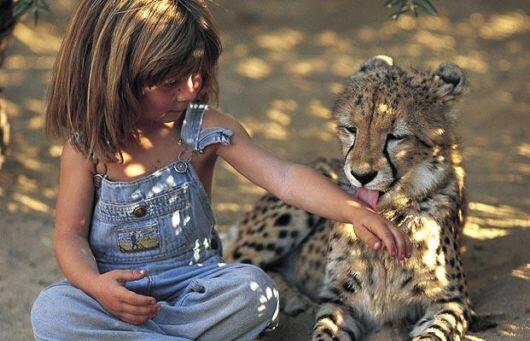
452	81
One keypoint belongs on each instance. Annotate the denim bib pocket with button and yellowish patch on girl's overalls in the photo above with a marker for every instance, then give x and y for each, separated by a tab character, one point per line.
148	229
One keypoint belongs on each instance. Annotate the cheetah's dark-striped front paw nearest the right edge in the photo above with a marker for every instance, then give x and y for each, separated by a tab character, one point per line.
441	322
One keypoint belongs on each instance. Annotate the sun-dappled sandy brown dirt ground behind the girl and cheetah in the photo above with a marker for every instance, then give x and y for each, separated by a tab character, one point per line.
283	63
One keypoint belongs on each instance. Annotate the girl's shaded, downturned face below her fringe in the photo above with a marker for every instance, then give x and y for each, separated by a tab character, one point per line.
166	102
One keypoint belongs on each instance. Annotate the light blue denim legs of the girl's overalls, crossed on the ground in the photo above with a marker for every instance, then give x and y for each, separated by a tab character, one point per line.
208	301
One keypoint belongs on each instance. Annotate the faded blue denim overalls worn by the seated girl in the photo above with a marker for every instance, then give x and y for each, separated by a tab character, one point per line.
163	223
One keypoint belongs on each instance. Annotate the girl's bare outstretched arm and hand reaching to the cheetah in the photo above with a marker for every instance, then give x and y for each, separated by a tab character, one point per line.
303	187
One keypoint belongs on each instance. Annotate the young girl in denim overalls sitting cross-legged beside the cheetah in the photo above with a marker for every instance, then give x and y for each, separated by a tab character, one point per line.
135	233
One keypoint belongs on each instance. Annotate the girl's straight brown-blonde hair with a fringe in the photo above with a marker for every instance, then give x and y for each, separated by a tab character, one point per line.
111	51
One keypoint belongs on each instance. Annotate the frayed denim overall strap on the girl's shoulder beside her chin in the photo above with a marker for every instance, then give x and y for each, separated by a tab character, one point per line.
194	136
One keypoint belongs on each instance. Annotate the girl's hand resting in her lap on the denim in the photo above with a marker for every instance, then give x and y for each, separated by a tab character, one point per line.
125	304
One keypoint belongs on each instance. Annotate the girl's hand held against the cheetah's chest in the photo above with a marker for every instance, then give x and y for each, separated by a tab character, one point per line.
376	231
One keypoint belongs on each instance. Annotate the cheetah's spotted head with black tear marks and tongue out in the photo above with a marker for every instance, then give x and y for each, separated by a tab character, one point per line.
396	128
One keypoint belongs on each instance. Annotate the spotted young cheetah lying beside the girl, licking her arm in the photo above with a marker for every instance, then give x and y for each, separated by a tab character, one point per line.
396	132
